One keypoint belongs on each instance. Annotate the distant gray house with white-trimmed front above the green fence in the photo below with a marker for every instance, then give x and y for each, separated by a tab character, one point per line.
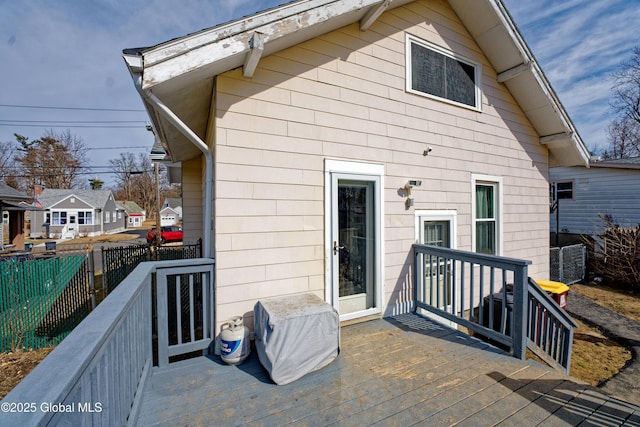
77	213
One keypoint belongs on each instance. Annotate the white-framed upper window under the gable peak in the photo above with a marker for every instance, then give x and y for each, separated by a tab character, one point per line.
439	73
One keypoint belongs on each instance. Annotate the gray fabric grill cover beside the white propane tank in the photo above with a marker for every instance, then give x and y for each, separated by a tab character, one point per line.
295	335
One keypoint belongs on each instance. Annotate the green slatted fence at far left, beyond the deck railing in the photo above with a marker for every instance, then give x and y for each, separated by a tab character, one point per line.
43	297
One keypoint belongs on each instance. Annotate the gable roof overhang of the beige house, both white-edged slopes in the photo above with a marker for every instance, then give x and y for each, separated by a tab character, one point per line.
180	71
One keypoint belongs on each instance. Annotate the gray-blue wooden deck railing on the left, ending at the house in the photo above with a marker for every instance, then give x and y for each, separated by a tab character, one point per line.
97	374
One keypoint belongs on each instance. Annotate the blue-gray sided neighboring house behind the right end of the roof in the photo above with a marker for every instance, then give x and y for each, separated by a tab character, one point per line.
607	189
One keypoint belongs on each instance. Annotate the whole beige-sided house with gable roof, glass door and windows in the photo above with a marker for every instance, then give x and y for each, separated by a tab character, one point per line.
323	138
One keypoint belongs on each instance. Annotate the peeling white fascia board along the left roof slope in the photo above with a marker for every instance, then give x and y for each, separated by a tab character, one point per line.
217	45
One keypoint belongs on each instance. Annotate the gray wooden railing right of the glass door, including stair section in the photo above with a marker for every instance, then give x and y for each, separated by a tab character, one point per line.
535	319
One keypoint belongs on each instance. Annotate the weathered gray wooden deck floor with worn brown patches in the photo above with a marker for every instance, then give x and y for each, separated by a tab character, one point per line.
401	371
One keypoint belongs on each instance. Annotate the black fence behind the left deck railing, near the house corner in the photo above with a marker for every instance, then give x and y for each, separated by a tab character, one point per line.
119	262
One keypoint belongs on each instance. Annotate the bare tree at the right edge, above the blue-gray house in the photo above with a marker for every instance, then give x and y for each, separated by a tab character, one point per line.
624	131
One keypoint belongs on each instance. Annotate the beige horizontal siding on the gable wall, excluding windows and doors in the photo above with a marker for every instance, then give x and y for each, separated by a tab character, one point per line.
342	96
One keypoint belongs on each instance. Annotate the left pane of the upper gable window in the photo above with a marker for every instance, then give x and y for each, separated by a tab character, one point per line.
427	71
